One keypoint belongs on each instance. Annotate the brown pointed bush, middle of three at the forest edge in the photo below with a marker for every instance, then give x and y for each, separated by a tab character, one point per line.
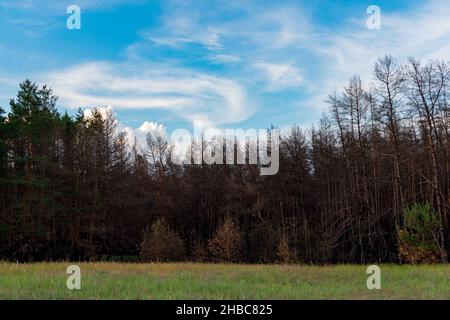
226	244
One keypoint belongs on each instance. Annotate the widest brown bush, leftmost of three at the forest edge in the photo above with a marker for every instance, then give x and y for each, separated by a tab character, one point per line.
159	243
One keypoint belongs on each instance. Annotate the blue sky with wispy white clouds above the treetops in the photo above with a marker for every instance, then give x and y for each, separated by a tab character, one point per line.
161	65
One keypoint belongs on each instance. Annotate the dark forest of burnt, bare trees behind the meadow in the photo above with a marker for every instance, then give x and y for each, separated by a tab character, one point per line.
370	182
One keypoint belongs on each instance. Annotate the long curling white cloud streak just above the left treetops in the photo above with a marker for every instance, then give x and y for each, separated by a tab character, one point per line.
188	94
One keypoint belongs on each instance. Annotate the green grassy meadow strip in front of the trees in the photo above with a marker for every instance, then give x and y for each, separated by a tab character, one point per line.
221	281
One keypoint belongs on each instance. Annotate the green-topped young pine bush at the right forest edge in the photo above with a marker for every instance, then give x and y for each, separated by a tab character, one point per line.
418	239
